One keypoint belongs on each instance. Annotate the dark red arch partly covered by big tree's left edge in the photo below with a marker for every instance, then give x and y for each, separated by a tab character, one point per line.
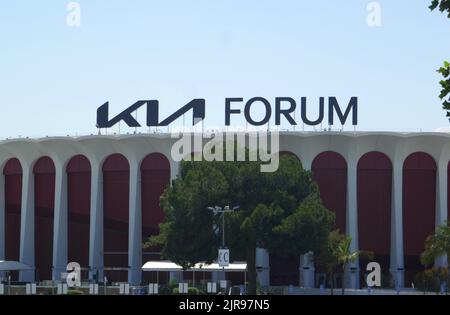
155	177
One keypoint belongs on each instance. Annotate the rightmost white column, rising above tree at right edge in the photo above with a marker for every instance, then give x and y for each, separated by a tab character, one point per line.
441	205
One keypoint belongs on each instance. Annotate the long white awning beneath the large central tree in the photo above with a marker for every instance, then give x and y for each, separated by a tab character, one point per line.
170	266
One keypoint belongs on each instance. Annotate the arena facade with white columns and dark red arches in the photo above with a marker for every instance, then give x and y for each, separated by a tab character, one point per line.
95	199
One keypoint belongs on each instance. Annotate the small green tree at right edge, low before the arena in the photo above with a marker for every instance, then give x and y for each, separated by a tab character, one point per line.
436	245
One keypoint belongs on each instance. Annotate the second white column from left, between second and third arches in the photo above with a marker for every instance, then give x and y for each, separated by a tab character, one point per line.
60	224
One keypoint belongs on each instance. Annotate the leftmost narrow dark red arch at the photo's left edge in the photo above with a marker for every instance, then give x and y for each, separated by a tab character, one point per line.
12	173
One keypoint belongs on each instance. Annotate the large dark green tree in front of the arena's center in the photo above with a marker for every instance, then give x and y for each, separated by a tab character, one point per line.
280	211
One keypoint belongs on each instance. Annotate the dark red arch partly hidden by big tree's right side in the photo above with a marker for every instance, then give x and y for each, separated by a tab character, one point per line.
330	172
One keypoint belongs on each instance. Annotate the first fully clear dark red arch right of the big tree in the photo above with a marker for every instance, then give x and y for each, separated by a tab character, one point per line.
374	182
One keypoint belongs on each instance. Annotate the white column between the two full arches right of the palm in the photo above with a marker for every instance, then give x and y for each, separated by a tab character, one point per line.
397	259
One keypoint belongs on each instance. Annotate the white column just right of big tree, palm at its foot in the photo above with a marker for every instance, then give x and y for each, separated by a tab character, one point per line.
352	221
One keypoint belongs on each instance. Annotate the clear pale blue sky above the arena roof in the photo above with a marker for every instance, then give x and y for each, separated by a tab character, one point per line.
54	76
